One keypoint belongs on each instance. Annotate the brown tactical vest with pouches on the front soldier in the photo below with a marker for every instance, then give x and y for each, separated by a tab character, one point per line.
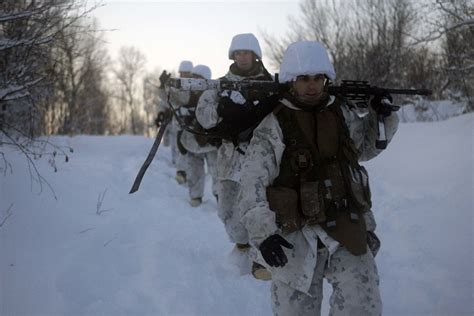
320	179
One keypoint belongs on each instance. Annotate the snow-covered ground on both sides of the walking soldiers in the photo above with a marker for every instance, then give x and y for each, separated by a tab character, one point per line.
149	253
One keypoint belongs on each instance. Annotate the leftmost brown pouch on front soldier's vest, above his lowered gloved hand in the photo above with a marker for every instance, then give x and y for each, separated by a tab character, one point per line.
284	202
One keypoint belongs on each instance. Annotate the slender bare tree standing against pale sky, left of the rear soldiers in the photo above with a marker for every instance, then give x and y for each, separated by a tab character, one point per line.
131	63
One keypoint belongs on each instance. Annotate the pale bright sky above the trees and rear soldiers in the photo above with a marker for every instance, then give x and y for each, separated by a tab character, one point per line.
168	32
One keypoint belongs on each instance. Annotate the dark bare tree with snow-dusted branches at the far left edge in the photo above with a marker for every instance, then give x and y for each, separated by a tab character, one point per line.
28	34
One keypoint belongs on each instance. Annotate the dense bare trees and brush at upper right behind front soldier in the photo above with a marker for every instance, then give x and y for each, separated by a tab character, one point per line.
388	42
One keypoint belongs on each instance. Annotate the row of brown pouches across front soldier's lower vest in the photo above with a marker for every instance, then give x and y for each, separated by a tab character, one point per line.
343	191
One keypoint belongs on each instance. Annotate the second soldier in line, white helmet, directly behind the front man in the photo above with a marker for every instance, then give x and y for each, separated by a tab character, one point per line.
246	55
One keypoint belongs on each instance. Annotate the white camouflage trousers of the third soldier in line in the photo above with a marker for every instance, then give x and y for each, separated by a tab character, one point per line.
196	174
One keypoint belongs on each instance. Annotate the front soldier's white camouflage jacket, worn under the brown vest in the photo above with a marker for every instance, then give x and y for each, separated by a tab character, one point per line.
261	167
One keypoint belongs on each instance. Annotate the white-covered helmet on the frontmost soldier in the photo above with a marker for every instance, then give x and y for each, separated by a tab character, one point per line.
305	58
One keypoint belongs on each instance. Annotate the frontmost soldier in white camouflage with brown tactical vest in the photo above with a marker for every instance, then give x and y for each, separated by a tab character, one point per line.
305	197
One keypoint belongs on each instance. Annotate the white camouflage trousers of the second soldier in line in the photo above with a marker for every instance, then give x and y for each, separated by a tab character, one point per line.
229	211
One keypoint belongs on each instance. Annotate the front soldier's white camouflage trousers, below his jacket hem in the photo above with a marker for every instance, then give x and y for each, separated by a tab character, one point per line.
355	284
